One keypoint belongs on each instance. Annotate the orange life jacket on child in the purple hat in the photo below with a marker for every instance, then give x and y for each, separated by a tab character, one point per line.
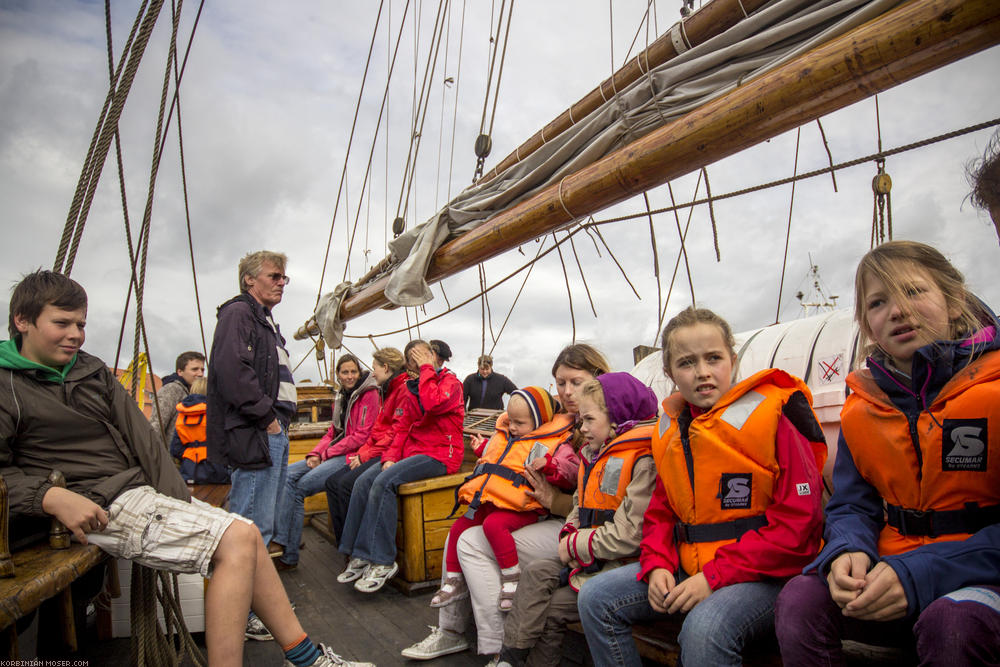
601	485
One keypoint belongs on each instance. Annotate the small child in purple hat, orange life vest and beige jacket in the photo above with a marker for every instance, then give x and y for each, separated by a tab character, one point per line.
603	530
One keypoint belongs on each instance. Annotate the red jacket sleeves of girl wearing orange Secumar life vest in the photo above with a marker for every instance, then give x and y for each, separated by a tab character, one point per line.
779	549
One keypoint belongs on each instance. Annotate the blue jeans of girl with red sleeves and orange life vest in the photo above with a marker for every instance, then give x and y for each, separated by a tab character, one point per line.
713	633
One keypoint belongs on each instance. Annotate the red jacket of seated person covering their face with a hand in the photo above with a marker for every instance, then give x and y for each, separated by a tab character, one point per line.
437	428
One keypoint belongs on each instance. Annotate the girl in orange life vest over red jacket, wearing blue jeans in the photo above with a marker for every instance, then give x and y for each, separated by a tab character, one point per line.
736	507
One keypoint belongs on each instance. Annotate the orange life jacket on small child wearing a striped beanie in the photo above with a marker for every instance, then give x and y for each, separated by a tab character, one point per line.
499	478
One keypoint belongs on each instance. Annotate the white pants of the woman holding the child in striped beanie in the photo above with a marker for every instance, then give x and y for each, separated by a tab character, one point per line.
482	575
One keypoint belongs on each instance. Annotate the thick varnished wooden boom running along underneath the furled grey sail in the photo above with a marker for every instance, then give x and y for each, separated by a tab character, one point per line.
904	43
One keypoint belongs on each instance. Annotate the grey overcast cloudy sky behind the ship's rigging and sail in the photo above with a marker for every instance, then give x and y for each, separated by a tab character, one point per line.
267	104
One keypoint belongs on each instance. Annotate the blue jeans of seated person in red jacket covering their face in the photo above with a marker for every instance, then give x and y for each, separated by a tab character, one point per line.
370	529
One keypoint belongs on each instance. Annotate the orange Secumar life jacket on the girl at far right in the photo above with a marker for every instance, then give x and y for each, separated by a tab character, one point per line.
940	477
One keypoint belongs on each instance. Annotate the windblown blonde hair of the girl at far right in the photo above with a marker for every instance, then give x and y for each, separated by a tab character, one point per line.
885	263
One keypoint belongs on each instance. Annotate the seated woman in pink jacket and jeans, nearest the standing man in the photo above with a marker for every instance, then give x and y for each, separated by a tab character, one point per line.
355	408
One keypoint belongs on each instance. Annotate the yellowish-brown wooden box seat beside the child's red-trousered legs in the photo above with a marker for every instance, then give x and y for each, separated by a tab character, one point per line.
424	520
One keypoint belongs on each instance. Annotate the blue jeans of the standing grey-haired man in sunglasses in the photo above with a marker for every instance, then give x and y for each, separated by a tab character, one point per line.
255	492
